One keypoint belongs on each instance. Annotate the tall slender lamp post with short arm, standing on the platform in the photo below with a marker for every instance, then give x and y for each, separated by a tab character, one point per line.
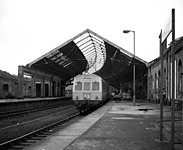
127	31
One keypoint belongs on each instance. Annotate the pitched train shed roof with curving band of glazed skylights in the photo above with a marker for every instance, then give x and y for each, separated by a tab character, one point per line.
90	52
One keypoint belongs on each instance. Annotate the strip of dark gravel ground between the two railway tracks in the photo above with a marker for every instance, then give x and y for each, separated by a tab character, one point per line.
11	128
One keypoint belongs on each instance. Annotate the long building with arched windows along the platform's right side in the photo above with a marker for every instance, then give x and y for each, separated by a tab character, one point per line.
154	75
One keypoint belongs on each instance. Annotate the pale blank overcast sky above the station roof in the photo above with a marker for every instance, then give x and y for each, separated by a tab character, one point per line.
31	28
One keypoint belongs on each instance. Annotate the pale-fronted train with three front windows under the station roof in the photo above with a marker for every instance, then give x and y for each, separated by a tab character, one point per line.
89	90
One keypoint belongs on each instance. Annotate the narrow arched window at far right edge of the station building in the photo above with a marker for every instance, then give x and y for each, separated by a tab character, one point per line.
180	77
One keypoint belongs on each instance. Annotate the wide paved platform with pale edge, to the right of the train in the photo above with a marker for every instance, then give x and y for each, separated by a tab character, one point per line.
115	126
